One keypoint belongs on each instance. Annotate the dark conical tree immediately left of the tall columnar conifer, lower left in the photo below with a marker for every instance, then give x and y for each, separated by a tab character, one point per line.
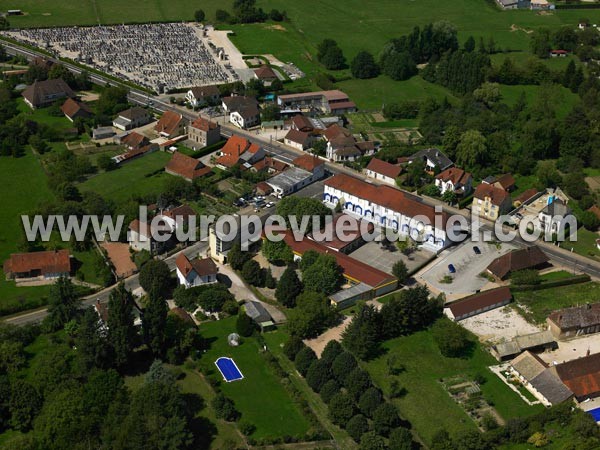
92	347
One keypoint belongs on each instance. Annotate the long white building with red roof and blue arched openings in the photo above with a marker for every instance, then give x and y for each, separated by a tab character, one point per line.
390	208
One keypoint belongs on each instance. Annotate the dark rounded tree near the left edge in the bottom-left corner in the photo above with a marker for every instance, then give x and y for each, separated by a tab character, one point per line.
24	404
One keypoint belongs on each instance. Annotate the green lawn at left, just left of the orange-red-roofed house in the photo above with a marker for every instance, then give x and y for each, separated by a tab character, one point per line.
130	179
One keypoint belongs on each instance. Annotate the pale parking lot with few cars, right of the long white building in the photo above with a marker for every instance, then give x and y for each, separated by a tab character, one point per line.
467	264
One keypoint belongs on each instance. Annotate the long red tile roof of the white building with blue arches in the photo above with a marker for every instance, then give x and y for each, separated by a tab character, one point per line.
386	196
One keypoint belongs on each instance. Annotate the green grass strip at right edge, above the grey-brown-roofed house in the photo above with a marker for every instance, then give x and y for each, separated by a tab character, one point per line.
542	302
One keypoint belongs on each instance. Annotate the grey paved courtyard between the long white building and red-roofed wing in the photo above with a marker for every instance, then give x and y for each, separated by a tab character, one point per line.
384	258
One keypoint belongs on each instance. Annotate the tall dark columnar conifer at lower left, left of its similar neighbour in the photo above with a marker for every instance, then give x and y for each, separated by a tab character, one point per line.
121	331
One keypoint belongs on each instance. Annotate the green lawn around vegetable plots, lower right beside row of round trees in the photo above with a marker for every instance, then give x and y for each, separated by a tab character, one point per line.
426	404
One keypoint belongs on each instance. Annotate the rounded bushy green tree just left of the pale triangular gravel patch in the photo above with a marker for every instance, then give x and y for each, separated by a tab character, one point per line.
312	315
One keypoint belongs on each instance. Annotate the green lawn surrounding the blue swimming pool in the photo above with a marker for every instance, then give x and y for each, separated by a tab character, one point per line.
260	397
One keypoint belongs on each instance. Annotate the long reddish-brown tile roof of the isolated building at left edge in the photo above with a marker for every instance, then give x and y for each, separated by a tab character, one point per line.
48	262
